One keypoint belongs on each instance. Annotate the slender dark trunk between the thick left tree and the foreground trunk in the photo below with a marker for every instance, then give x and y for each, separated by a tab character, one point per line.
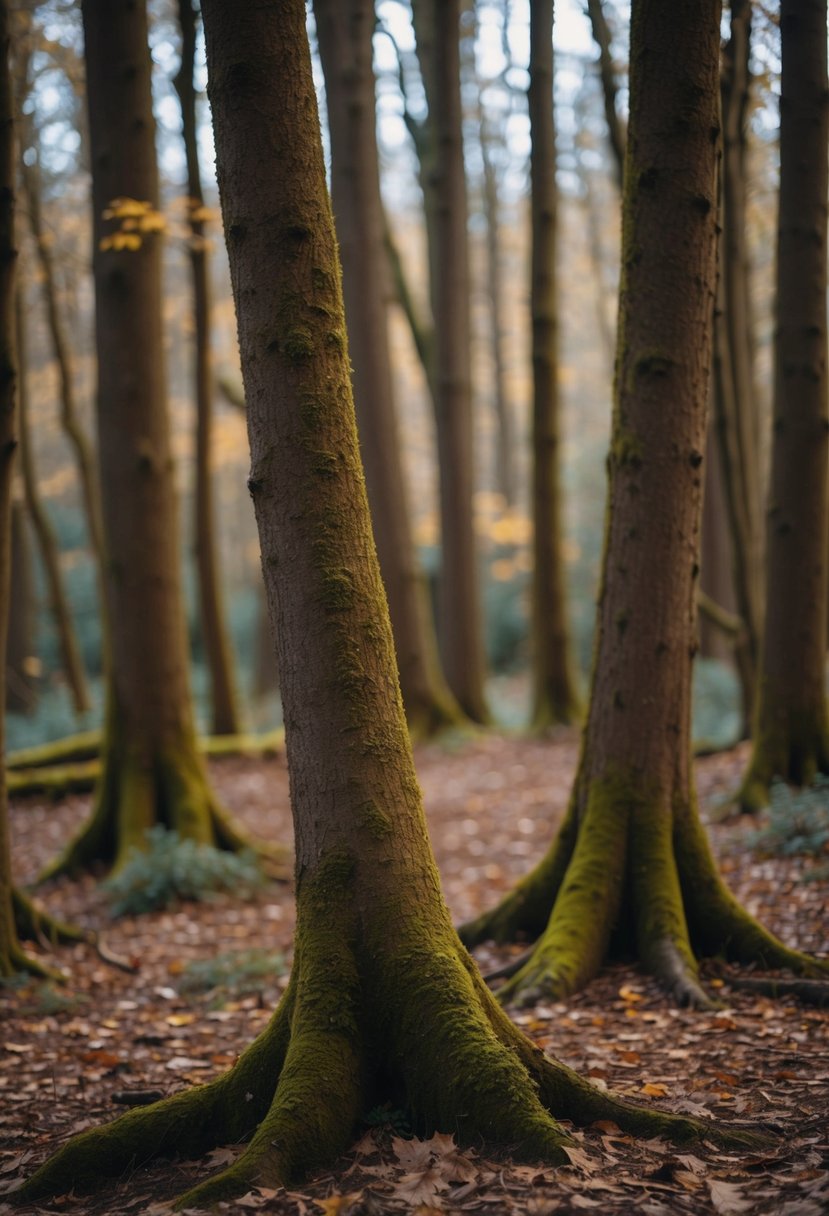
225	719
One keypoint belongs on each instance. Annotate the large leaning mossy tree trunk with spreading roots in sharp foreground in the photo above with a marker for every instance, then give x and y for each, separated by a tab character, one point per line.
384	1001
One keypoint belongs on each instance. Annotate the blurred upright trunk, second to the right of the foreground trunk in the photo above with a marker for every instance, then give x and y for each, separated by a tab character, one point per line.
459	603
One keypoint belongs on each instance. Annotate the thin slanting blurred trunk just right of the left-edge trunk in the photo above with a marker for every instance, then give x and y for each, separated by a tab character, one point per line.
74	665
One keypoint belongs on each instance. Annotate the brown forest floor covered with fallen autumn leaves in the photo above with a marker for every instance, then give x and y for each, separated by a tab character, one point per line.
493	803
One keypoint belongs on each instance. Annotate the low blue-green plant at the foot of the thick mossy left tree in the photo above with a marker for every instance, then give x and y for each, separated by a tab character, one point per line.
171	870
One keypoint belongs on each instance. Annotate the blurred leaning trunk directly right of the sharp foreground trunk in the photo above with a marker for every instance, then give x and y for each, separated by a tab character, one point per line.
345	37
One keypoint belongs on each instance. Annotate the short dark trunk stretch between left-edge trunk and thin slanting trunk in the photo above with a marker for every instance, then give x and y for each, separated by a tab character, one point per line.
21	696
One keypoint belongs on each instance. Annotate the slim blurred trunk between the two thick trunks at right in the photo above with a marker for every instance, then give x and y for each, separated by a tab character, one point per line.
736	409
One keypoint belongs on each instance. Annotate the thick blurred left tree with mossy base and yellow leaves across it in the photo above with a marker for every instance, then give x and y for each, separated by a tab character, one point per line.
151	769
